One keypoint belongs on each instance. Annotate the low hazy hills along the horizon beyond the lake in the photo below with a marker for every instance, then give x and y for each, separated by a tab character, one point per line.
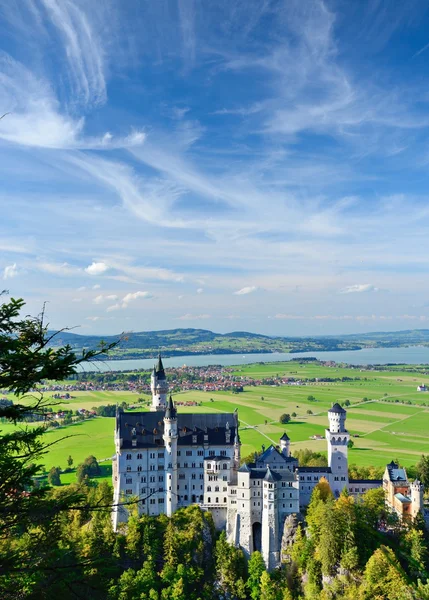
178	342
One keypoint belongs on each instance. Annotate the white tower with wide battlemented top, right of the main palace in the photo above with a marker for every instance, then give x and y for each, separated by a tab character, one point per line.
337	438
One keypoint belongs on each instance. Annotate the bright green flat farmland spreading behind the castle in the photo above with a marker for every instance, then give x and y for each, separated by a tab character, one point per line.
386	430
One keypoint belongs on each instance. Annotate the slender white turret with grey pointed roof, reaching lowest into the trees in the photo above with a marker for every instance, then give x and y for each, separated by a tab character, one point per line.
270	525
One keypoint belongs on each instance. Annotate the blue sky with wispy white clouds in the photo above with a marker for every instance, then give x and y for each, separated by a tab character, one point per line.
255	165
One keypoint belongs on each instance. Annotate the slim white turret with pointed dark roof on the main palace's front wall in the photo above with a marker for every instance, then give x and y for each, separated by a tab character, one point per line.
170	466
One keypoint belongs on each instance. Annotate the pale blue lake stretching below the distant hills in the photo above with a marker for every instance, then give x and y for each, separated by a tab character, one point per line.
411	355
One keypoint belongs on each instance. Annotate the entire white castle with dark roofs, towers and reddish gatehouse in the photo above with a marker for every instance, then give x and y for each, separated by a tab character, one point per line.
170	460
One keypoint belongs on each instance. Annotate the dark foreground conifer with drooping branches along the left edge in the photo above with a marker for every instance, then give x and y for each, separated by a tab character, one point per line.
26	360
